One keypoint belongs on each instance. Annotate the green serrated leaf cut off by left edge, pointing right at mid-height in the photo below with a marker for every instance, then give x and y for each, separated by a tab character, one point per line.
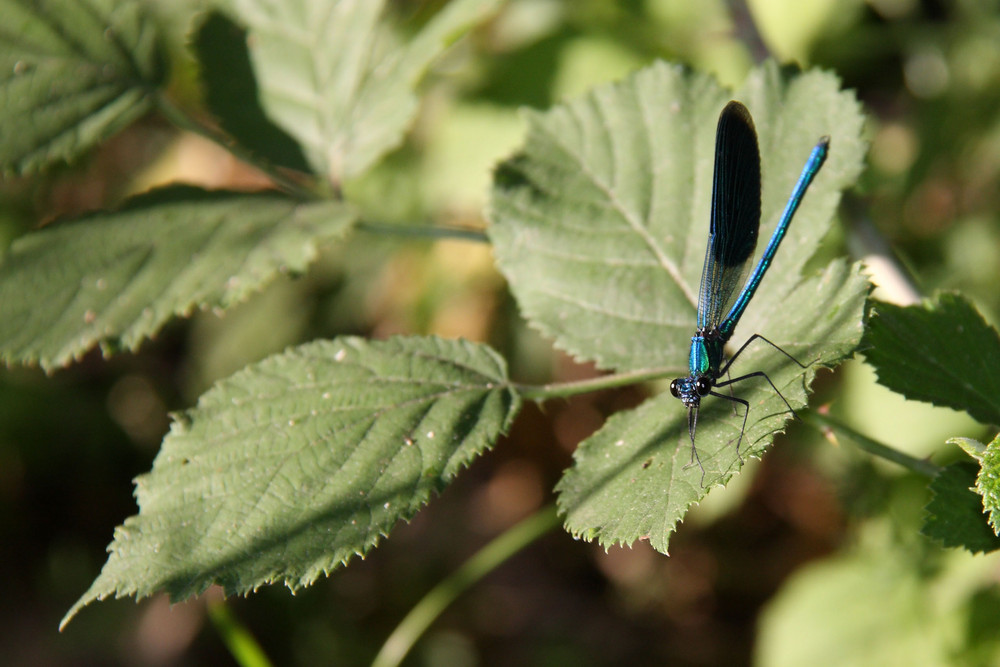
116	278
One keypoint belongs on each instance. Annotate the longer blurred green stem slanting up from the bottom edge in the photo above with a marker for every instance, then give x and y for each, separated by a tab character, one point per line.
437	600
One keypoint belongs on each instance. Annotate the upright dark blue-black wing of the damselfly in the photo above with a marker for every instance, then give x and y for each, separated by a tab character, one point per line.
735	215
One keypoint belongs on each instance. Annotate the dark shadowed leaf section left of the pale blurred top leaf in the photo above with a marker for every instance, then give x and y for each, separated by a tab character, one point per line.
232	95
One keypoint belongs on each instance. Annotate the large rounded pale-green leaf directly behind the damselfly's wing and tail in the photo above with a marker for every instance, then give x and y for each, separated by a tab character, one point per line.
600	223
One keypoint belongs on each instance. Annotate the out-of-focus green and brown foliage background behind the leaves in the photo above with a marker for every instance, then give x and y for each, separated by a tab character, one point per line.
814	551
